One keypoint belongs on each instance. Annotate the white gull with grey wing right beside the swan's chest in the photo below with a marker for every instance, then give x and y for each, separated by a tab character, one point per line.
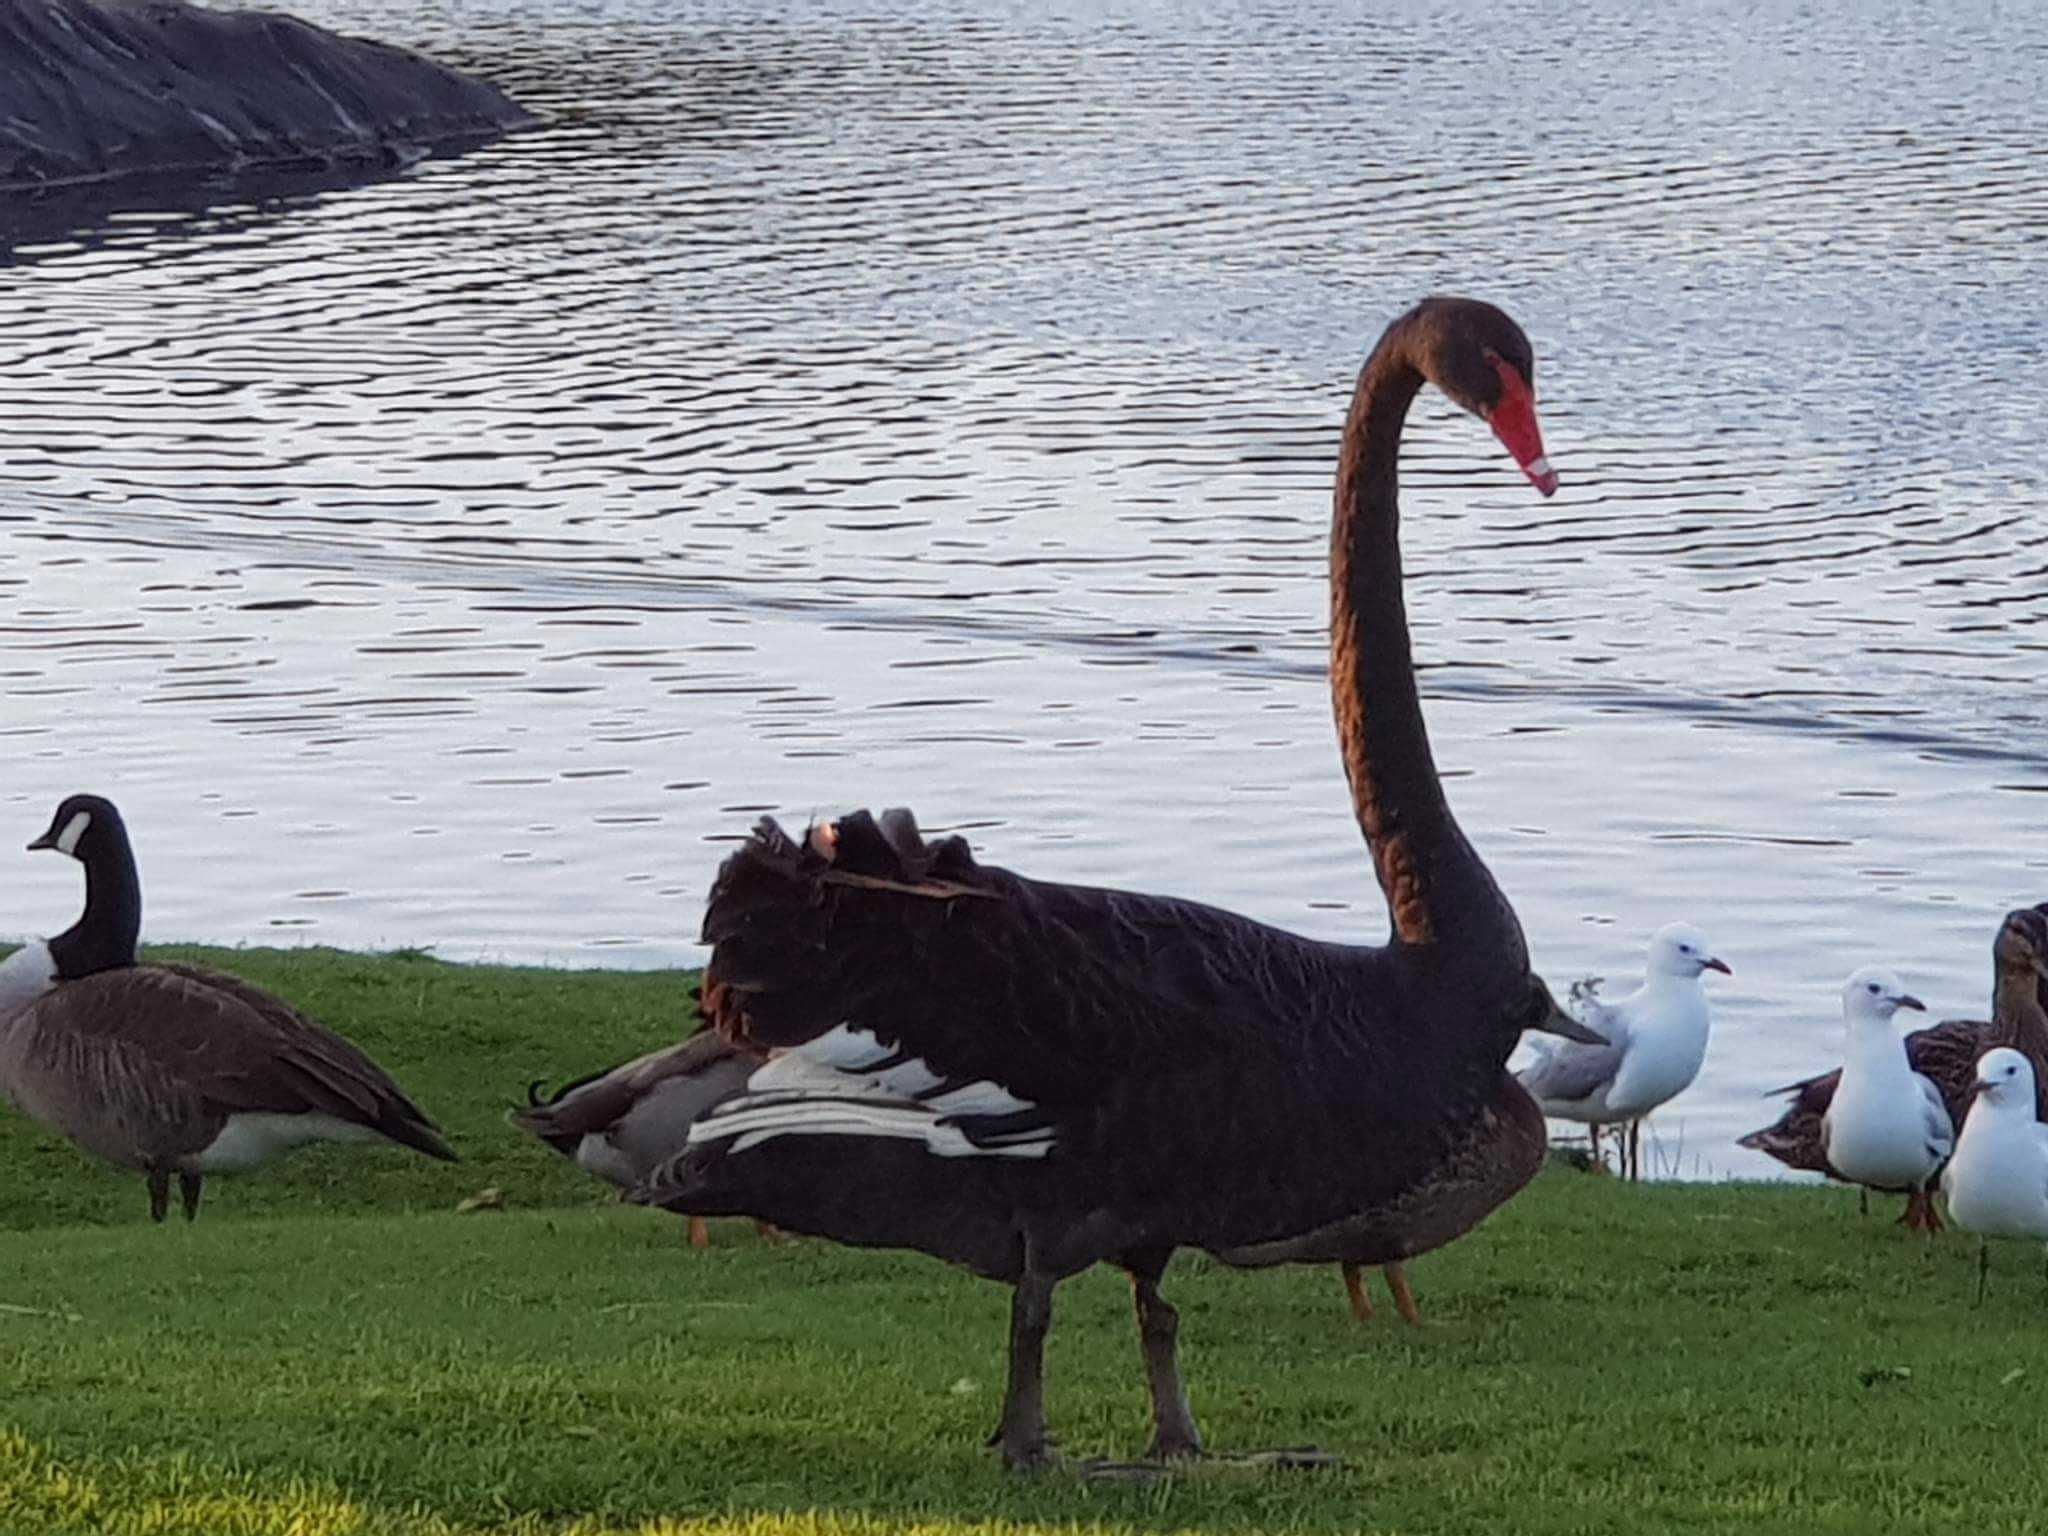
1656	1043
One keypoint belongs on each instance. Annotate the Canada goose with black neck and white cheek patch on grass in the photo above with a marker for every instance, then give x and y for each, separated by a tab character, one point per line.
175	1068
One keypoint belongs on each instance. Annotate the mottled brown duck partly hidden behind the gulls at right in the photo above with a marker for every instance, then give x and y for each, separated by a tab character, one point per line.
1945	1054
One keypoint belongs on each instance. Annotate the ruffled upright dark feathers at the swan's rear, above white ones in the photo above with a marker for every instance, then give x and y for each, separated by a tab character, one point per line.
806	933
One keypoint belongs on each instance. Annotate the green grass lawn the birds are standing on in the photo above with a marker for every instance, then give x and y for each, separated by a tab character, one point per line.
333	1349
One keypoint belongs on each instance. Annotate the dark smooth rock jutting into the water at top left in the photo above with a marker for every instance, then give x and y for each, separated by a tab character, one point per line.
97	89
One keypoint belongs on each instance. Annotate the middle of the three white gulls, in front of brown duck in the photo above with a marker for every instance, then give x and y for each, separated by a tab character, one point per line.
1887	1125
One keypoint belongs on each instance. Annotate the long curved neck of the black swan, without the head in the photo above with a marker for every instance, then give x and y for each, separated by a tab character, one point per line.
1437	888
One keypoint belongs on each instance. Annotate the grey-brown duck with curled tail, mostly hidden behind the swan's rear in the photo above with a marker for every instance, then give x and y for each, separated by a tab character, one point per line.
628	1121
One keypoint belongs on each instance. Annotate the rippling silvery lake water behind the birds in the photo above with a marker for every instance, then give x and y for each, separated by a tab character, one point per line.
937	404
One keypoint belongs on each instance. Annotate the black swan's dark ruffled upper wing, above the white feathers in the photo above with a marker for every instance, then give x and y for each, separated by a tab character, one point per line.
1054	992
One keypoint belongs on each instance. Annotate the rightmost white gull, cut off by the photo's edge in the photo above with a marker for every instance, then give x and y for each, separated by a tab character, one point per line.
1998	1181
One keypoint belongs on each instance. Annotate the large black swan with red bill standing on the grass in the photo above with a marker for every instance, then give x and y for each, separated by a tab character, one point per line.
1031	1078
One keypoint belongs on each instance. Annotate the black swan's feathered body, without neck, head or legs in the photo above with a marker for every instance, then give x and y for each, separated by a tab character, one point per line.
1164	1074
